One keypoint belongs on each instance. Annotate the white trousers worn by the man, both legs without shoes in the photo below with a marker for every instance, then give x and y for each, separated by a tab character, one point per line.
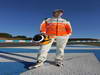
61	42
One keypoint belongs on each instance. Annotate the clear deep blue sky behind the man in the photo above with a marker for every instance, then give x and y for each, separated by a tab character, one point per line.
23	17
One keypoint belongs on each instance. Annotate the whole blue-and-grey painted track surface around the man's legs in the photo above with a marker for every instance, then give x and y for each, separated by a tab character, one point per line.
77	61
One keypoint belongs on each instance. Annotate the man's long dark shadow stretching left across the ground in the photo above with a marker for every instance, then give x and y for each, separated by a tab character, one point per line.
22	61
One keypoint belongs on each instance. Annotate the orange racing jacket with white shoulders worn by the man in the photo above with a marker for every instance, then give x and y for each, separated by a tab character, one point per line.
56	27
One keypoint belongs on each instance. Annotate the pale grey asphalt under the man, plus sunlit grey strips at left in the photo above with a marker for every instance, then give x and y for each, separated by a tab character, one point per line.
74	64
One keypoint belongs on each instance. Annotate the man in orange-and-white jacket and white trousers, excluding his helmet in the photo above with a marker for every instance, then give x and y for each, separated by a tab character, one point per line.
59	30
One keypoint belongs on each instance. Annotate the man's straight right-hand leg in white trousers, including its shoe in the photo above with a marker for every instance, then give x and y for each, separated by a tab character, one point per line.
61	44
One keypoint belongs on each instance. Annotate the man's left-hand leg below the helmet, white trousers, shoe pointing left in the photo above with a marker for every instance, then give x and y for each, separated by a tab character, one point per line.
42	55
